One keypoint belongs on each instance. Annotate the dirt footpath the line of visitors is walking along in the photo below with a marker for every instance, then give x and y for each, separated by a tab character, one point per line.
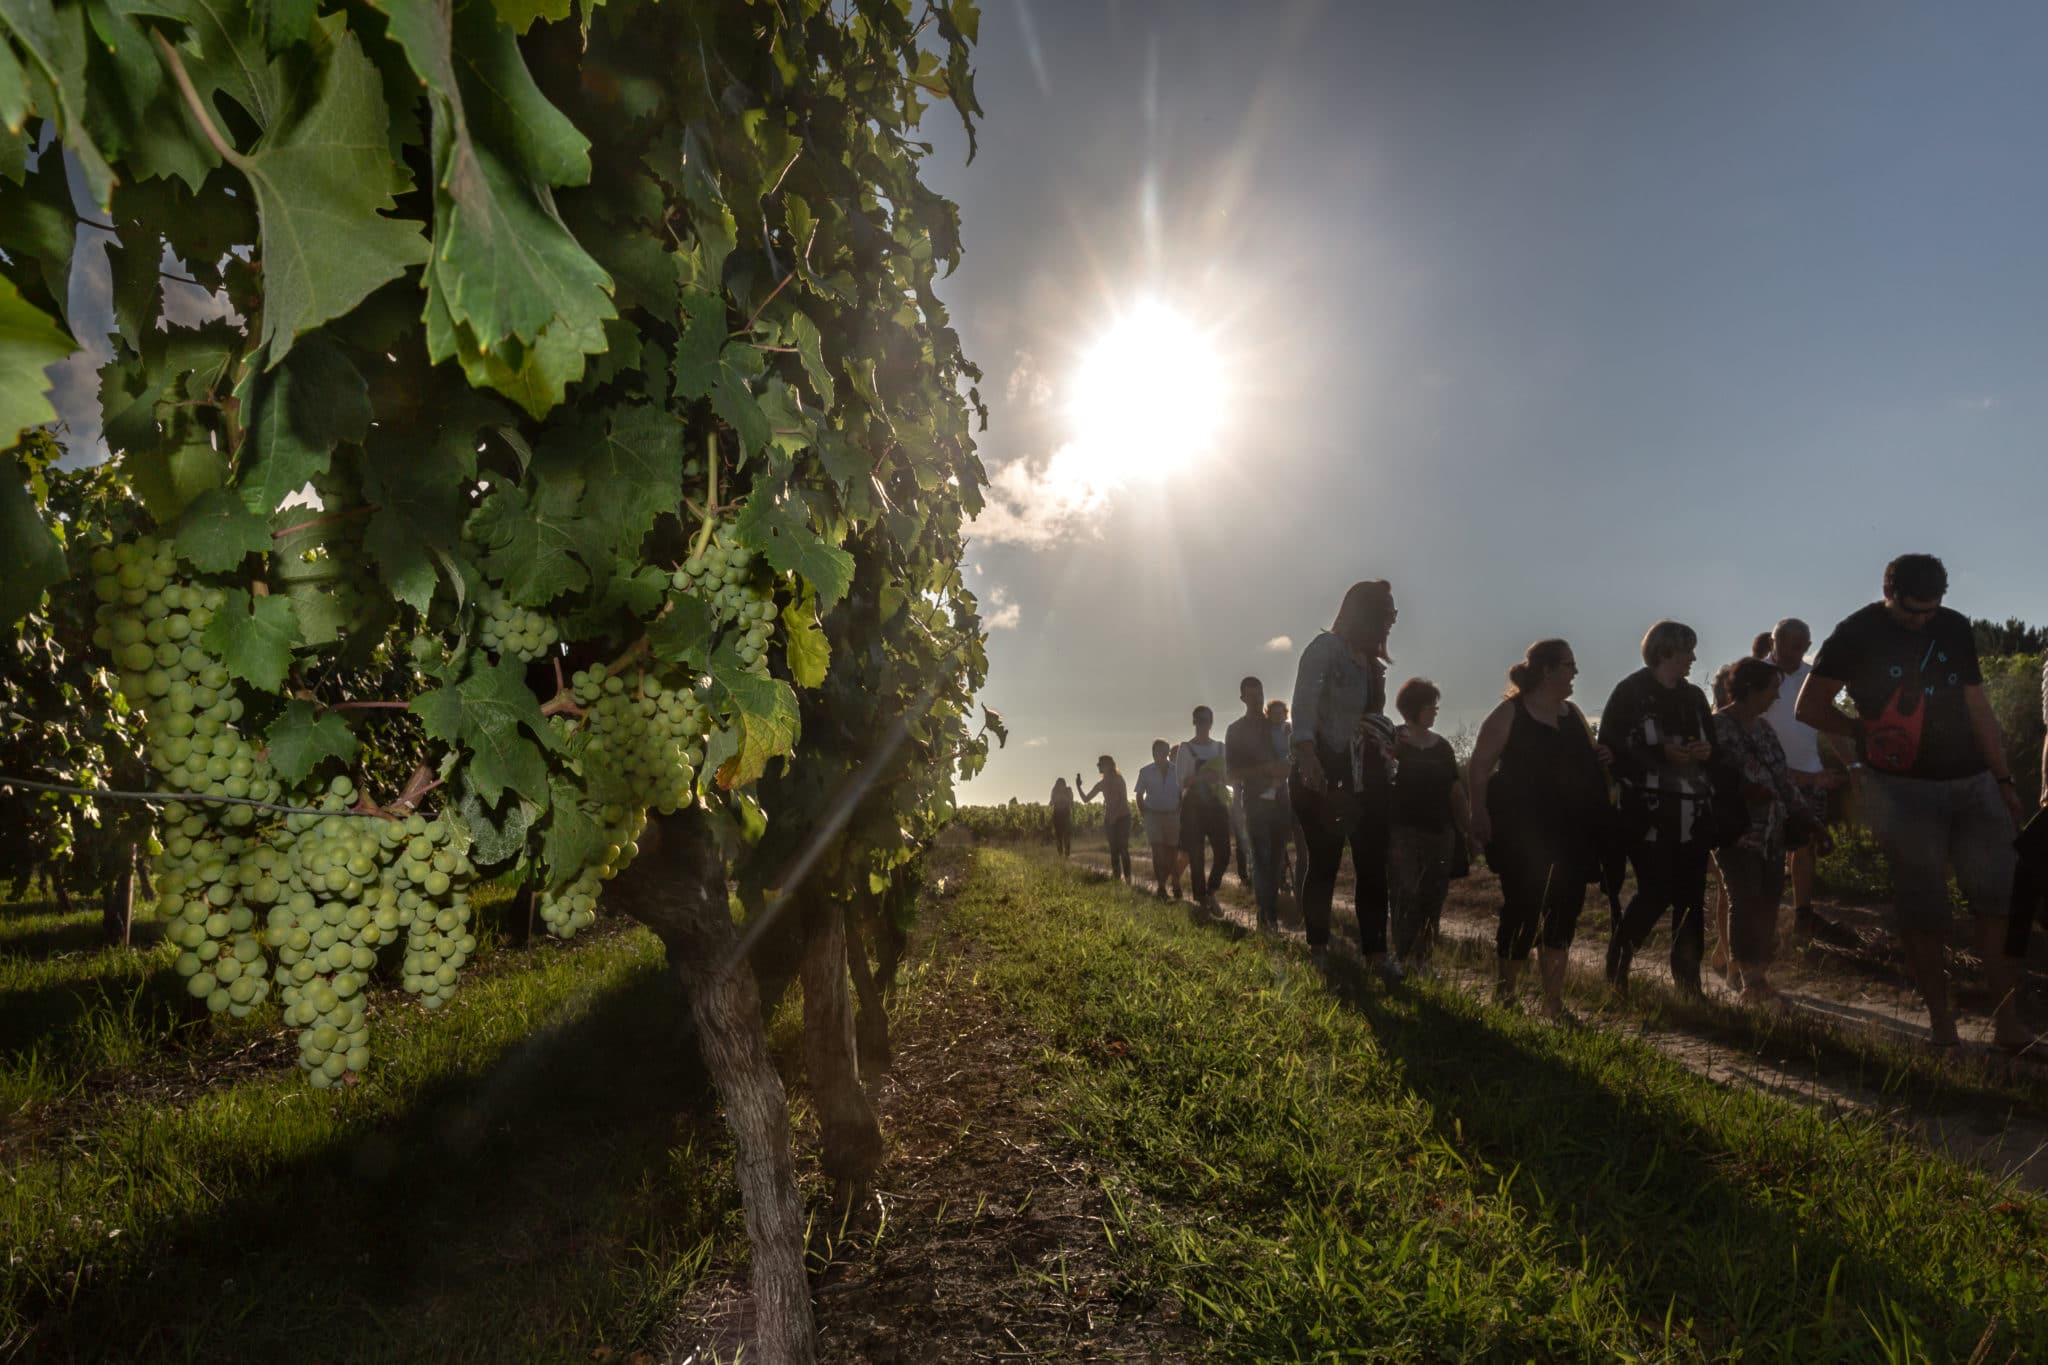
1852	1041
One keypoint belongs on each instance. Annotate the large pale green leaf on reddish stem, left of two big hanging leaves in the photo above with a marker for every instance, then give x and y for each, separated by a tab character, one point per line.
323	189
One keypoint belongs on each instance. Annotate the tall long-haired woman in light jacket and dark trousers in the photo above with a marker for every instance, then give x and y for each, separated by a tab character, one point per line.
1342	781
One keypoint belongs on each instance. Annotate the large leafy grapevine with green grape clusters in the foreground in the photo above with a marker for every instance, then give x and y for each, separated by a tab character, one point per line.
493	310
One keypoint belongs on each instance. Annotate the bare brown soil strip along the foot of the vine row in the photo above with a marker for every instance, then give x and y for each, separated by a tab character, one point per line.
986	1237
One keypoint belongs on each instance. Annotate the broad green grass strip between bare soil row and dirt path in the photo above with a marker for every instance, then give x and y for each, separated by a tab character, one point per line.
1328	1172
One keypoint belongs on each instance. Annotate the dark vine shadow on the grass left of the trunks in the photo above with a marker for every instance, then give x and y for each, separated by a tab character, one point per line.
478	1225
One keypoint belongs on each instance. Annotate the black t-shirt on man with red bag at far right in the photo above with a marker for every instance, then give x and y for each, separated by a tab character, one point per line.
1908	689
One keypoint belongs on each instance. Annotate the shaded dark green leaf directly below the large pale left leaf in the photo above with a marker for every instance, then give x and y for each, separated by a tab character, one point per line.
296	414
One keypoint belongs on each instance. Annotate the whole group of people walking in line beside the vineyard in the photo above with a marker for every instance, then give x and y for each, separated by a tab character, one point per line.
1670	785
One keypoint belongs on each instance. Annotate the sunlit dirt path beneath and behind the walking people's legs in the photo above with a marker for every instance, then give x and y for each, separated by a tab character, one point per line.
1842	989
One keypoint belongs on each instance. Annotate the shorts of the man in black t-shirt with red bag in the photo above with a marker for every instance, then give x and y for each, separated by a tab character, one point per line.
1928	828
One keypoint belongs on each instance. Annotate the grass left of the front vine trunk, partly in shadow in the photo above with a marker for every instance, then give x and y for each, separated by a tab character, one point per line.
531	1174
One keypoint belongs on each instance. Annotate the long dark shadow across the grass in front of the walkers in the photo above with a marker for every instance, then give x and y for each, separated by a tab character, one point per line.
1650	1196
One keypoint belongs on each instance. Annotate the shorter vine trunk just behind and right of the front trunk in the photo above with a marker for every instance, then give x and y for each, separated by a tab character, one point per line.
851	1131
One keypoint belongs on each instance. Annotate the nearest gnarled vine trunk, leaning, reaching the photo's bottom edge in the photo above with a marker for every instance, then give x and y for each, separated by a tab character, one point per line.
677	887
